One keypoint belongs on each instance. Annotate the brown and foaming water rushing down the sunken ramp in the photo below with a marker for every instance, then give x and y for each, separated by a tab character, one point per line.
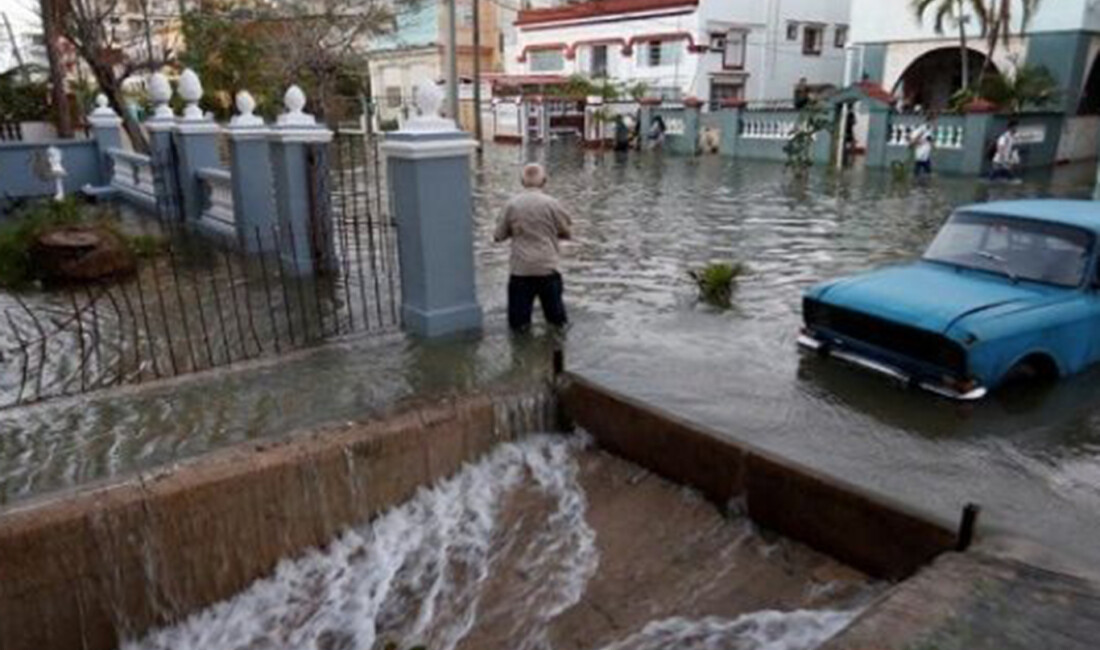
544	544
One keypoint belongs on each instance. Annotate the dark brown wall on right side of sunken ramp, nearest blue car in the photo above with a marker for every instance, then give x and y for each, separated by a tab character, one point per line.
867	532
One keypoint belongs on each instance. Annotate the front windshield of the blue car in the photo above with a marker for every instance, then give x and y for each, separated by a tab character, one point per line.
1020	249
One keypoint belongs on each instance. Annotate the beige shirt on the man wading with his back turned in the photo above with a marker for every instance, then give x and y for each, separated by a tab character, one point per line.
535	223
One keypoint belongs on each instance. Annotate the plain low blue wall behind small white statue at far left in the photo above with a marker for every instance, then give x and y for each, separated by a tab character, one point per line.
19	179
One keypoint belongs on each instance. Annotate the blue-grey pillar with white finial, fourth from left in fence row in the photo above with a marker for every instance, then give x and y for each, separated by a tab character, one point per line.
255	211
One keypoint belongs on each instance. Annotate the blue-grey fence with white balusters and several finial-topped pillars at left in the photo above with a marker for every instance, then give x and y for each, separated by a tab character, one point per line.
183	179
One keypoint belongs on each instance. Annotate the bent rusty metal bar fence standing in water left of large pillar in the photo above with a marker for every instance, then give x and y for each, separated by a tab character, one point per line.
197	306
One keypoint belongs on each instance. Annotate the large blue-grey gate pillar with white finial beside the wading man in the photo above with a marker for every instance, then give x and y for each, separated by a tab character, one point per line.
428	166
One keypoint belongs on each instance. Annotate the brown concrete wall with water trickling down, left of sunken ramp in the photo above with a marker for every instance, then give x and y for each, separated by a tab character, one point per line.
87	568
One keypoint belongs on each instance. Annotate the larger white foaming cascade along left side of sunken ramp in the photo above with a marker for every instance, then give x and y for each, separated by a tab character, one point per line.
417	574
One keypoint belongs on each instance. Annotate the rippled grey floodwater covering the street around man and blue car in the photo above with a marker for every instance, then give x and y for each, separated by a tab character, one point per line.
1032	461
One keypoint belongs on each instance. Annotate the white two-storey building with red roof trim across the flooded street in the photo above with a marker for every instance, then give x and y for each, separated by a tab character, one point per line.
711	50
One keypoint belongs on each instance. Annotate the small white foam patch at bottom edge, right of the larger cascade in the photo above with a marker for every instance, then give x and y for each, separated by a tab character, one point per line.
761	631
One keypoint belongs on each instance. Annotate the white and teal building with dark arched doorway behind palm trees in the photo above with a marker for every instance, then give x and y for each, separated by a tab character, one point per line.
922	70
